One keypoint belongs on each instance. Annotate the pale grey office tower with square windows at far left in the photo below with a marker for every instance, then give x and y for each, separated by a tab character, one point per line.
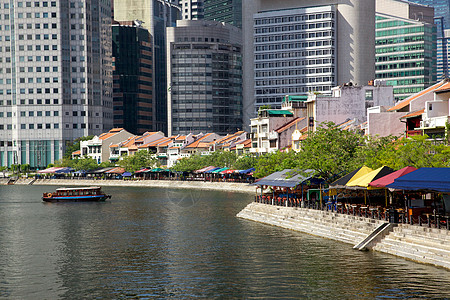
55	79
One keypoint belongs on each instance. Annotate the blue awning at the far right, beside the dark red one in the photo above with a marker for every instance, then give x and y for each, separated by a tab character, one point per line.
429	179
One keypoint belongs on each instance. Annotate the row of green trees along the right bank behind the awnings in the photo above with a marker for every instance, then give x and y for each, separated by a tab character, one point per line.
333	152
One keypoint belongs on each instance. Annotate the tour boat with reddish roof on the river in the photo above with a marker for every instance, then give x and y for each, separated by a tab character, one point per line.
76	195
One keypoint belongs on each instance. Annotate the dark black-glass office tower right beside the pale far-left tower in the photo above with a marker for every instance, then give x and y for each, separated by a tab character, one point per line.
132	73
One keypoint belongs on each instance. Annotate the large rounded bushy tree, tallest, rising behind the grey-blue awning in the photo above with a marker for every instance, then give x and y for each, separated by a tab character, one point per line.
330	151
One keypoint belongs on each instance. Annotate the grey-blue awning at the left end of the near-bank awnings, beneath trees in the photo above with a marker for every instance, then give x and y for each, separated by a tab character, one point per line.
286	178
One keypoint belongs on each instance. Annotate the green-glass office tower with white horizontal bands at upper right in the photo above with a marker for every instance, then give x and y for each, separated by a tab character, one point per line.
405	46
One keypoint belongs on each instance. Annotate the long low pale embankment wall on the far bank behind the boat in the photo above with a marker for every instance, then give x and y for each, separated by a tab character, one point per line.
218	186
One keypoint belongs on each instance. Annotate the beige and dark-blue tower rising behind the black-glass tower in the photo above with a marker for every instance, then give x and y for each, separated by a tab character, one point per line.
156	16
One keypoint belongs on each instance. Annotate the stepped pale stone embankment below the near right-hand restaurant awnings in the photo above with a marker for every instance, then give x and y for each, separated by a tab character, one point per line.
421	244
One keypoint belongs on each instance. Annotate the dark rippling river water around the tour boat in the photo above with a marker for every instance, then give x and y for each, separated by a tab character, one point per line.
148	243
